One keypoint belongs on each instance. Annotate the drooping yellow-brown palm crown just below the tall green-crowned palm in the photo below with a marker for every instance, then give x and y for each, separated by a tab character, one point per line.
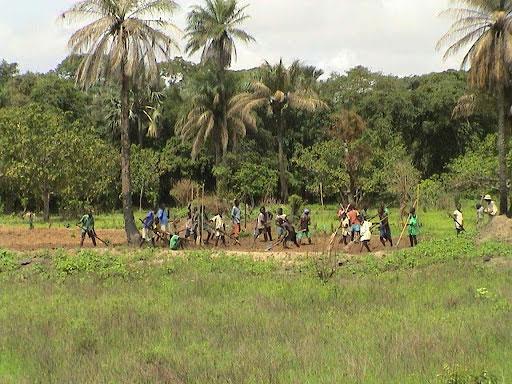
198	118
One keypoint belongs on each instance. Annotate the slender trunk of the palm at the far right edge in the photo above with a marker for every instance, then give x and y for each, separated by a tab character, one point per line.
502	151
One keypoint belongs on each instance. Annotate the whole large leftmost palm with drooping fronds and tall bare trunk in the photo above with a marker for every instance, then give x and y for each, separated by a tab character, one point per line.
124	41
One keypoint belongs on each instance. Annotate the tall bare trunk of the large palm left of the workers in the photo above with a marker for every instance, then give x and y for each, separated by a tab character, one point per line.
132	234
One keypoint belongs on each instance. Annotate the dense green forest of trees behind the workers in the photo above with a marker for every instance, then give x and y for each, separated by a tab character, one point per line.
373	137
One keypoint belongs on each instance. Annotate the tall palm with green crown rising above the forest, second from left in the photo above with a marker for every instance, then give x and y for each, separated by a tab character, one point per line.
213	30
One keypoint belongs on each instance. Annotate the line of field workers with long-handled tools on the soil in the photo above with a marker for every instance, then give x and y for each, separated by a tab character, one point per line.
356	226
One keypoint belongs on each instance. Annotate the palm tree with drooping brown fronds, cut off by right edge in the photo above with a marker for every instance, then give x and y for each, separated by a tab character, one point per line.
486	26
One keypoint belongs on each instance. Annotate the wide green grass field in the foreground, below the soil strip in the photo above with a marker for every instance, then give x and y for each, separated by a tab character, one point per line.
435	314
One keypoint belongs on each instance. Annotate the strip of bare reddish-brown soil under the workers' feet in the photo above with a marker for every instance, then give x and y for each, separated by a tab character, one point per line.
23	239
